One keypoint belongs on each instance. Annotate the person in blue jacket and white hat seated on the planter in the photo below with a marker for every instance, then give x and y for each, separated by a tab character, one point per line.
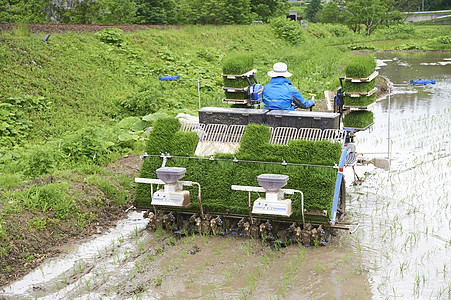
279	93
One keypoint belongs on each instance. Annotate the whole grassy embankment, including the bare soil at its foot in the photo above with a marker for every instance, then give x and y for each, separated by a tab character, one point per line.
70	106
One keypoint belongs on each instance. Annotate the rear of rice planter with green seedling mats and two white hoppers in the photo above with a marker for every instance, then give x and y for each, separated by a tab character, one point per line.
221	189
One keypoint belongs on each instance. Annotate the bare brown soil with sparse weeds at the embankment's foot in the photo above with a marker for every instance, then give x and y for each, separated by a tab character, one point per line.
27	246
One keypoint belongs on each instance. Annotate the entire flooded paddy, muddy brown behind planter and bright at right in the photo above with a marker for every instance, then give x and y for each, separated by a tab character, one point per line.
402	248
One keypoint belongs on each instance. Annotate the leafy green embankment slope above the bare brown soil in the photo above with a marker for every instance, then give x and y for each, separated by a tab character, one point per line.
107	83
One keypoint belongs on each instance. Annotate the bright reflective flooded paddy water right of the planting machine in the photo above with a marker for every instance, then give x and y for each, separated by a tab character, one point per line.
405	214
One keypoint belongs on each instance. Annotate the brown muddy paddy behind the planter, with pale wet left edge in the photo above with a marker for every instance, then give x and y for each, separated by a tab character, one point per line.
145	264
